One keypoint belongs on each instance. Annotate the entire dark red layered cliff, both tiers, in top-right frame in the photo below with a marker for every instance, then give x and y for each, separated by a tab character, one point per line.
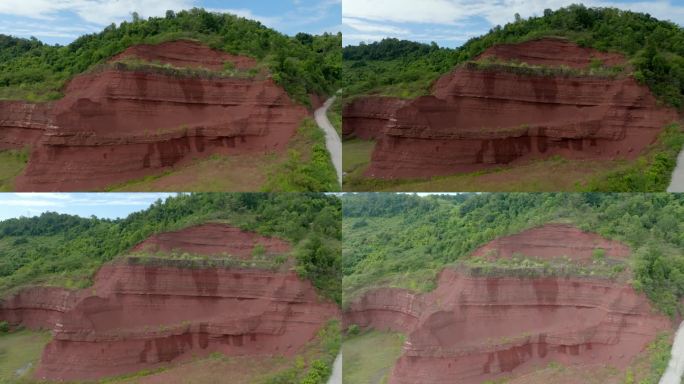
477	119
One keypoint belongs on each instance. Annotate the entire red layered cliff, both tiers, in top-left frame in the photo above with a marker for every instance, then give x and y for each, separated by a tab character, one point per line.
116	125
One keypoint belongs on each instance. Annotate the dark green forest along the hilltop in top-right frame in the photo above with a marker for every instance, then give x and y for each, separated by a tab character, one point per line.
655	49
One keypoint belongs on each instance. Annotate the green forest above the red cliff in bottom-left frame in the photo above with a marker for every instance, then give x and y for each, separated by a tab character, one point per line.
67	250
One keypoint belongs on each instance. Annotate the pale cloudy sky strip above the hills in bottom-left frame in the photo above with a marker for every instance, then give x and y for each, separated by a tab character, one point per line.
105	205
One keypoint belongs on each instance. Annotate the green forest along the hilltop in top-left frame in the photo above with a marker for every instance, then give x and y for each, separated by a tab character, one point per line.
304	64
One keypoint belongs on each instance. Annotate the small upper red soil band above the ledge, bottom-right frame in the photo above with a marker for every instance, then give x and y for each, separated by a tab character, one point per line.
553	241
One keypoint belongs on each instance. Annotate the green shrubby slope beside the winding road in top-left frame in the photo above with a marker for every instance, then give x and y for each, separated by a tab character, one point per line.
308	166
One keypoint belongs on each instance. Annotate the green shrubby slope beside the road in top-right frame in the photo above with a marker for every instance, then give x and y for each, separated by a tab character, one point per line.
651	172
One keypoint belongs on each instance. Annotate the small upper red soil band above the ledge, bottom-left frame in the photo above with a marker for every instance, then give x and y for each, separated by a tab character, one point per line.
212	239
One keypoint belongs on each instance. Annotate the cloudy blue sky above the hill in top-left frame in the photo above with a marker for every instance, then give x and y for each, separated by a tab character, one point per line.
62	21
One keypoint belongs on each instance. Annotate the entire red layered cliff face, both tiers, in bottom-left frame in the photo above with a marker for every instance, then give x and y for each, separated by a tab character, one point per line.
138	317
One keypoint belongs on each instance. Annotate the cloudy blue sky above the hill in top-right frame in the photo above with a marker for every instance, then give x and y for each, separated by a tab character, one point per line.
451	22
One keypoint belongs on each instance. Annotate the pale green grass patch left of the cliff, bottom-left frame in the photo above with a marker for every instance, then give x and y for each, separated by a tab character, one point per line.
20	352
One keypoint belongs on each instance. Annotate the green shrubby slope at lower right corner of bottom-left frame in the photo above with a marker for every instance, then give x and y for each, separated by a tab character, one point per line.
316	368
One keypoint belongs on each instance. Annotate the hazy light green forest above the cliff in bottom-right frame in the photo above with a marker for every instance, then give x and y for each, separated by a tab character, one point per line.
404	240
